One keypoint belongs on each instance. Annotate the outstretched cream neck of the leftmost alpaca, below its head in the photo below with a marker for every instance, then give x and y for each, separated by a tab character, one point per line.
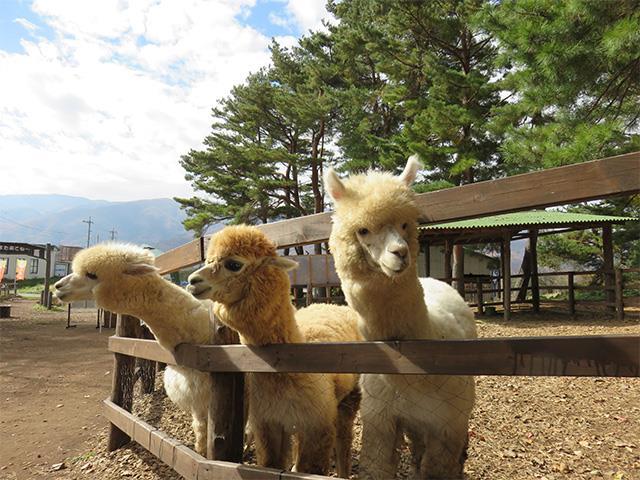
173	315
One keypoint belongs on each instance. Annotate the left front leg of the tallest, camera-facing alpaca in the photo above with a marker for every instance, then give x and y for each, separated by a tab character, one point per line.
381	439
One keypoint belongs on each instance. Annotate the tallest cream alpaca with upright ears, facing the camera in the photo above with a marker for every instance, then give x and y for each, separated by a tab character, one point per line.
375	244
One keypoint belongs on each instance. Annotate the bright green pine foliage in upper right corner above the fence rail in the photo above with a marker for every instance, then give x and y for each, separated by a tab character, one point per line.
574	76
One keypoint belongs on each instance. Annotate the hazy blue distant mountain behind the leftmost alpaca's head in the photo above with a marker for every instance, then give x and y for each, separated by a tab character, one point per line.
58	219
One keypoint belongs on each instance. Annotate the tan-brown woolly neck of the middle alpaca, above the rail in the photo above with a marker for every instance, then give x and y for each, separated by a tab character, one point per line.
266	320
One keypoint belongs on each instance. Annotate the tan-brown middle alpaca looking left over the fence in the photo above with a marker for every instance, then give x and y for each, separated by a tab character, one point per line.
251	287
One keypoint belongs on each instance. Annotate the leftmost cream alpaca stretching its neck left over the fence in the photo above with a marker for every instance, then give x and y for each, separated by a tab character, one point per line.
123	279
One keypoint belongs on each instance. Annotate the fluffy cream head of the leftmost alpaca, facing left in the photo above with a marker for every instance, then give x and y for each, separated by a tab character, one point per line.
100	264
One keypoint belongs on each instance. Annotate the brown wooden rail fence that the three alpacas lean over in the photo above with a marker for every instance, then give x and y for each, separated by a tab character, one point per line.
614	356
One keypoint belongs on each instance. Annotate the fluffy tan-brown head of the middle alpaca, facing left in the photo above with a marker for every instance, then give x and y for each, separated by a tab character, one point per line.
241	262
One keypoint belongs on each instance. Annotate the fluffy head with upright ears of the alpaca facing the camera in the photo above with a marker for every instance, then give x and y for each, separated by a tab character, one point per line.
375	221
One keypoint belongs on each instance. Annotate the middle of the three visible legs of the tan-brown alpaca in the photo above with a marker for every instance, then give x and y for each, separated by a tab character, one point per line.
314	449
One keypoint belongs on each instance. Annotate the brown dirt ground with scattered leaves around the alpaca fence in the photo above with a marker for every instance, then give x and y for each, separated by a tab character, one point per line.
53	380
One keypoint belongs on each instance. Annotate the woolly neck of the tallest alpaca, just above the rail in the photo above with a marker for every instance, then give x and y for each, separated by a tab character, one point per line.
389	309
